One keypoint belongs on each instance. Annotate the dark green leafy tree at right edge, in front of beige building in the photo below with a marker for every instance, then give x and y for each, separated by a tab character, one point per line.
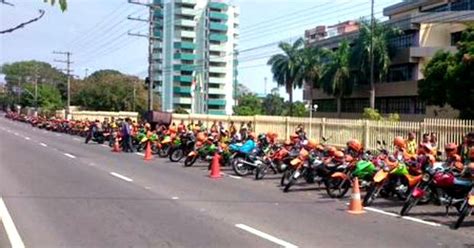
449	77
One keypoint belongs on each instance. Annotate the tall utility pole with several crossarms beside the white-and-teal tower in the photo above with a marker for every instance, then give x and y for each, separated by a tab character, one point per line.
150	38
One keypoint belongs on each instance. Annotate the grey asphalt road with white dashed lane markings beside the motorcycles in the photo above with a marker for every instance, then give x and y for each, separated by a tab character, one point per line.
63	193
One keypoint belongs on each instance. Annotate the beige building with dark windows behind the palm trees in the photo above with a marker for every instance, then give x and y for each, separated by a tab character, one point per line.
428	26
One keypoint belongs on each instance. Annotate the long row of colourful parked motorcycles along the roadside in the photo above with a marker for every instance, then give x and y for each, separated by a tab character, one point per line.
413	179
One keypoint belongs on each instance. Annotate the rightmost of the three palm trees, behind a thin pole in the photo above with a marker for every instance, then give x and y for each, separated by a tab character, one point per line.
360	58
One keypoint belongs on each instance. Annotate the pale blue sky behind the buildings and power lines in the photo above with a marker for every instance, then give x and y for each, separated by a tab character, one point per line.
95	31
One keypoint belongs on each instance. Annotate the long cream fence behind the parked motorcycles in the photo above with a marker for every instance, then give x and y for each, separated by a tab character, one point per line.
339	131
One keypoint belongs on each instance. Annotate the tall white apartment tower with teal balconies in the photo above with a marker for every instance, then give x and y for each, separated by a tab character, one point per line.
195	55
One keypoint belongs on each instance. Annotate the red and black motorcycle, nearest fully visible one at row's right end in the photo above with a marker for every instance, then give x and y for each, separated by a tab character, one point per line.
445	186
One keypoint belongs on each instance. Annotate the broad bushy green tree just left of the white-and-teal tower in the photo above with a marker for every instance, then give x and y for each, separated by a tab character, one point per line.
110	90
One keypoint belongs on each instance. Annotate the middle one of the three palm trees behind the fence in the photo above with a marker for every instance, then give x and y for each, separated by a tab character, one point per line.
336	78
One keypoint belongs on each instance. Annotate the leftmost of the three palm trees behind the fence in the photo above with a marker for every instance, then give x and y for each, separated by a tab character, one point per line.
287	67
